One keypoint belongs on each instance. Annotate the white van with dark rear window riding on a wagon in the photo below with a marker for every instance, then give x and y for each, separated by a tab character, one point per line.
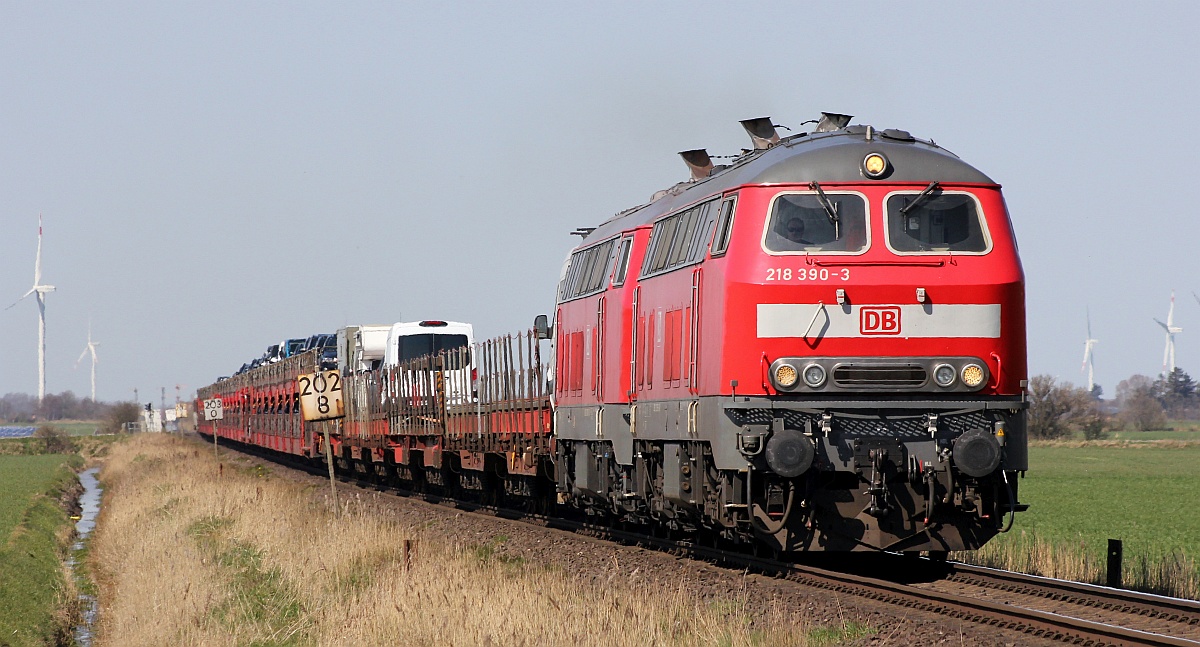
454	340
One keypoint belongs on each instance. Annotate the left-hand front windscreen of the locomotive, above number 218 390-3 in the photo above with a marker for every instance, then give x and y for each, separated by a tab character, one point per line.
802	224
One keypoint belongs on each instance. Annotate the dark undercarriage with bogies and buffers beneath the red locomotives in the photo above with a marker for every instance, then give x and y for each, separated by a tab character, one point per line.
896	470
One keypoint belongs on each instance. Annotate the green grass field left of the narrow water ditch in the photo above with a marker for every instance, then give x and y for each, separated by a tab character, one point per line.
38	602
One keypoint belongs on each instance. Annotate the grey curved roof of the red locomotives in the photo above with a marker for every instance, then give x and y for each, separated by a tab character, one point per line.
824	158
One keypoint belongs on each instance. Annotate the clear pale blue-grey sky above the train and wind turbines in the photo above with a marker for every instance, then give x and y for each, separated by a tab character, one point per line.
215	177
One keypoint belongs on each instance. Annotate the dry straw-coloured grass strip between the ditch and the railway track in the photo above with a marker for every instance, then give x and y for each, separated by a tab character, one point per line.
185	556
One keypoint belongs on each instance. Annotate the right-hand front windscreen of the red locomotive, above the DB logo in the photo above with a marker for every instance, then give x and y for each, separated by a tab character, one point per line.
943	223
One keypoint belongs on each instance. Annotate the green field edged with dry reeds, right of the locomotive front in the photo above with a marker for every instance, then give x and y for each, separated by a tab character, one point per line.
1082	495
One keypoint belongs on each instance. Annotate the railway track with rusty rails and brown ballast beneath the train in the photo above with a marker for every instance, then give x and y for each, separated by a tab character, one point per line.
1052	610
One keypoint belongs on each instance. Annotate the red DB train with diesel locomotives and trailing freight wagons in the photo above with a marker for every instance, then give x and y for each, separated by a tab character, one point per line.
820	346
